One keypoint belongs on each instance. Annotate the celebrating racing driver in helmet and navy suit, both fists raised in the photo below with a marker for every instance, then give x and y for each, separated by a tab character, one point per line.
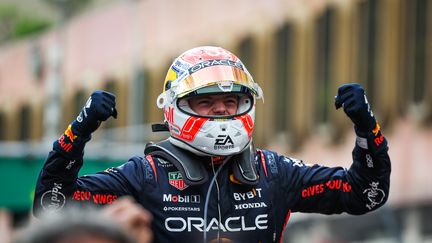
207	182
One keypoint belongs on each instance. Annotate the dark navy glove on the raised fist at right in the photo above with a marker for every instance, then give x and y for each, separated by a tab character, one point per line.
354	102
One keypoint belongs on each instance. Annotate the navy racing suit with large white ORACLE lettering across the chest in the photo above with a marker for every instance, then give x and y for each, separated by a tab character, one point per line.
237	212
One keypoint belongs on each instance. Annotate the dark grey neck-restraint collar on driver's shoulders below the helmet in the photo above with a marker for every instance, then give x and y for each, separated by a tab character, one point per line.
191	166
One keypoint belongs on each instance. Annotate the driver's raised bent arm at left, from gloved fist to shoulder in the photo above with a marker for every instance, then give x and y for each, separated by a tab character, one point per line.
58	183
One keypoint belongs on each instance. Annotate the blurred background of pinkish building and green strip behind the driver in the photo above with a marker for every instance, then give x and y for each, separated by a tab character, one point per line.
54	53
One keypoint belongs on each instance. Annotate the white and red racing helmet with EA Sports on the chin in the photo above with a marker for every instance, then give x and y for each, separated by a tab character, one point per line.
209	70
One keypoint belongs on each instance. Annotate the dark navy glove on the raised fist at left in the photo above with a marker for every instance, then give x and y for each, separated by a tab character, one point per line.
98	108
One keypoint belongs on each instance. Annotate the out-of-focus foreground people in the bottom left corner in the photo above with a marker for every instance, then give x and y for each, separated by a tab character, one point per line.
121	222
